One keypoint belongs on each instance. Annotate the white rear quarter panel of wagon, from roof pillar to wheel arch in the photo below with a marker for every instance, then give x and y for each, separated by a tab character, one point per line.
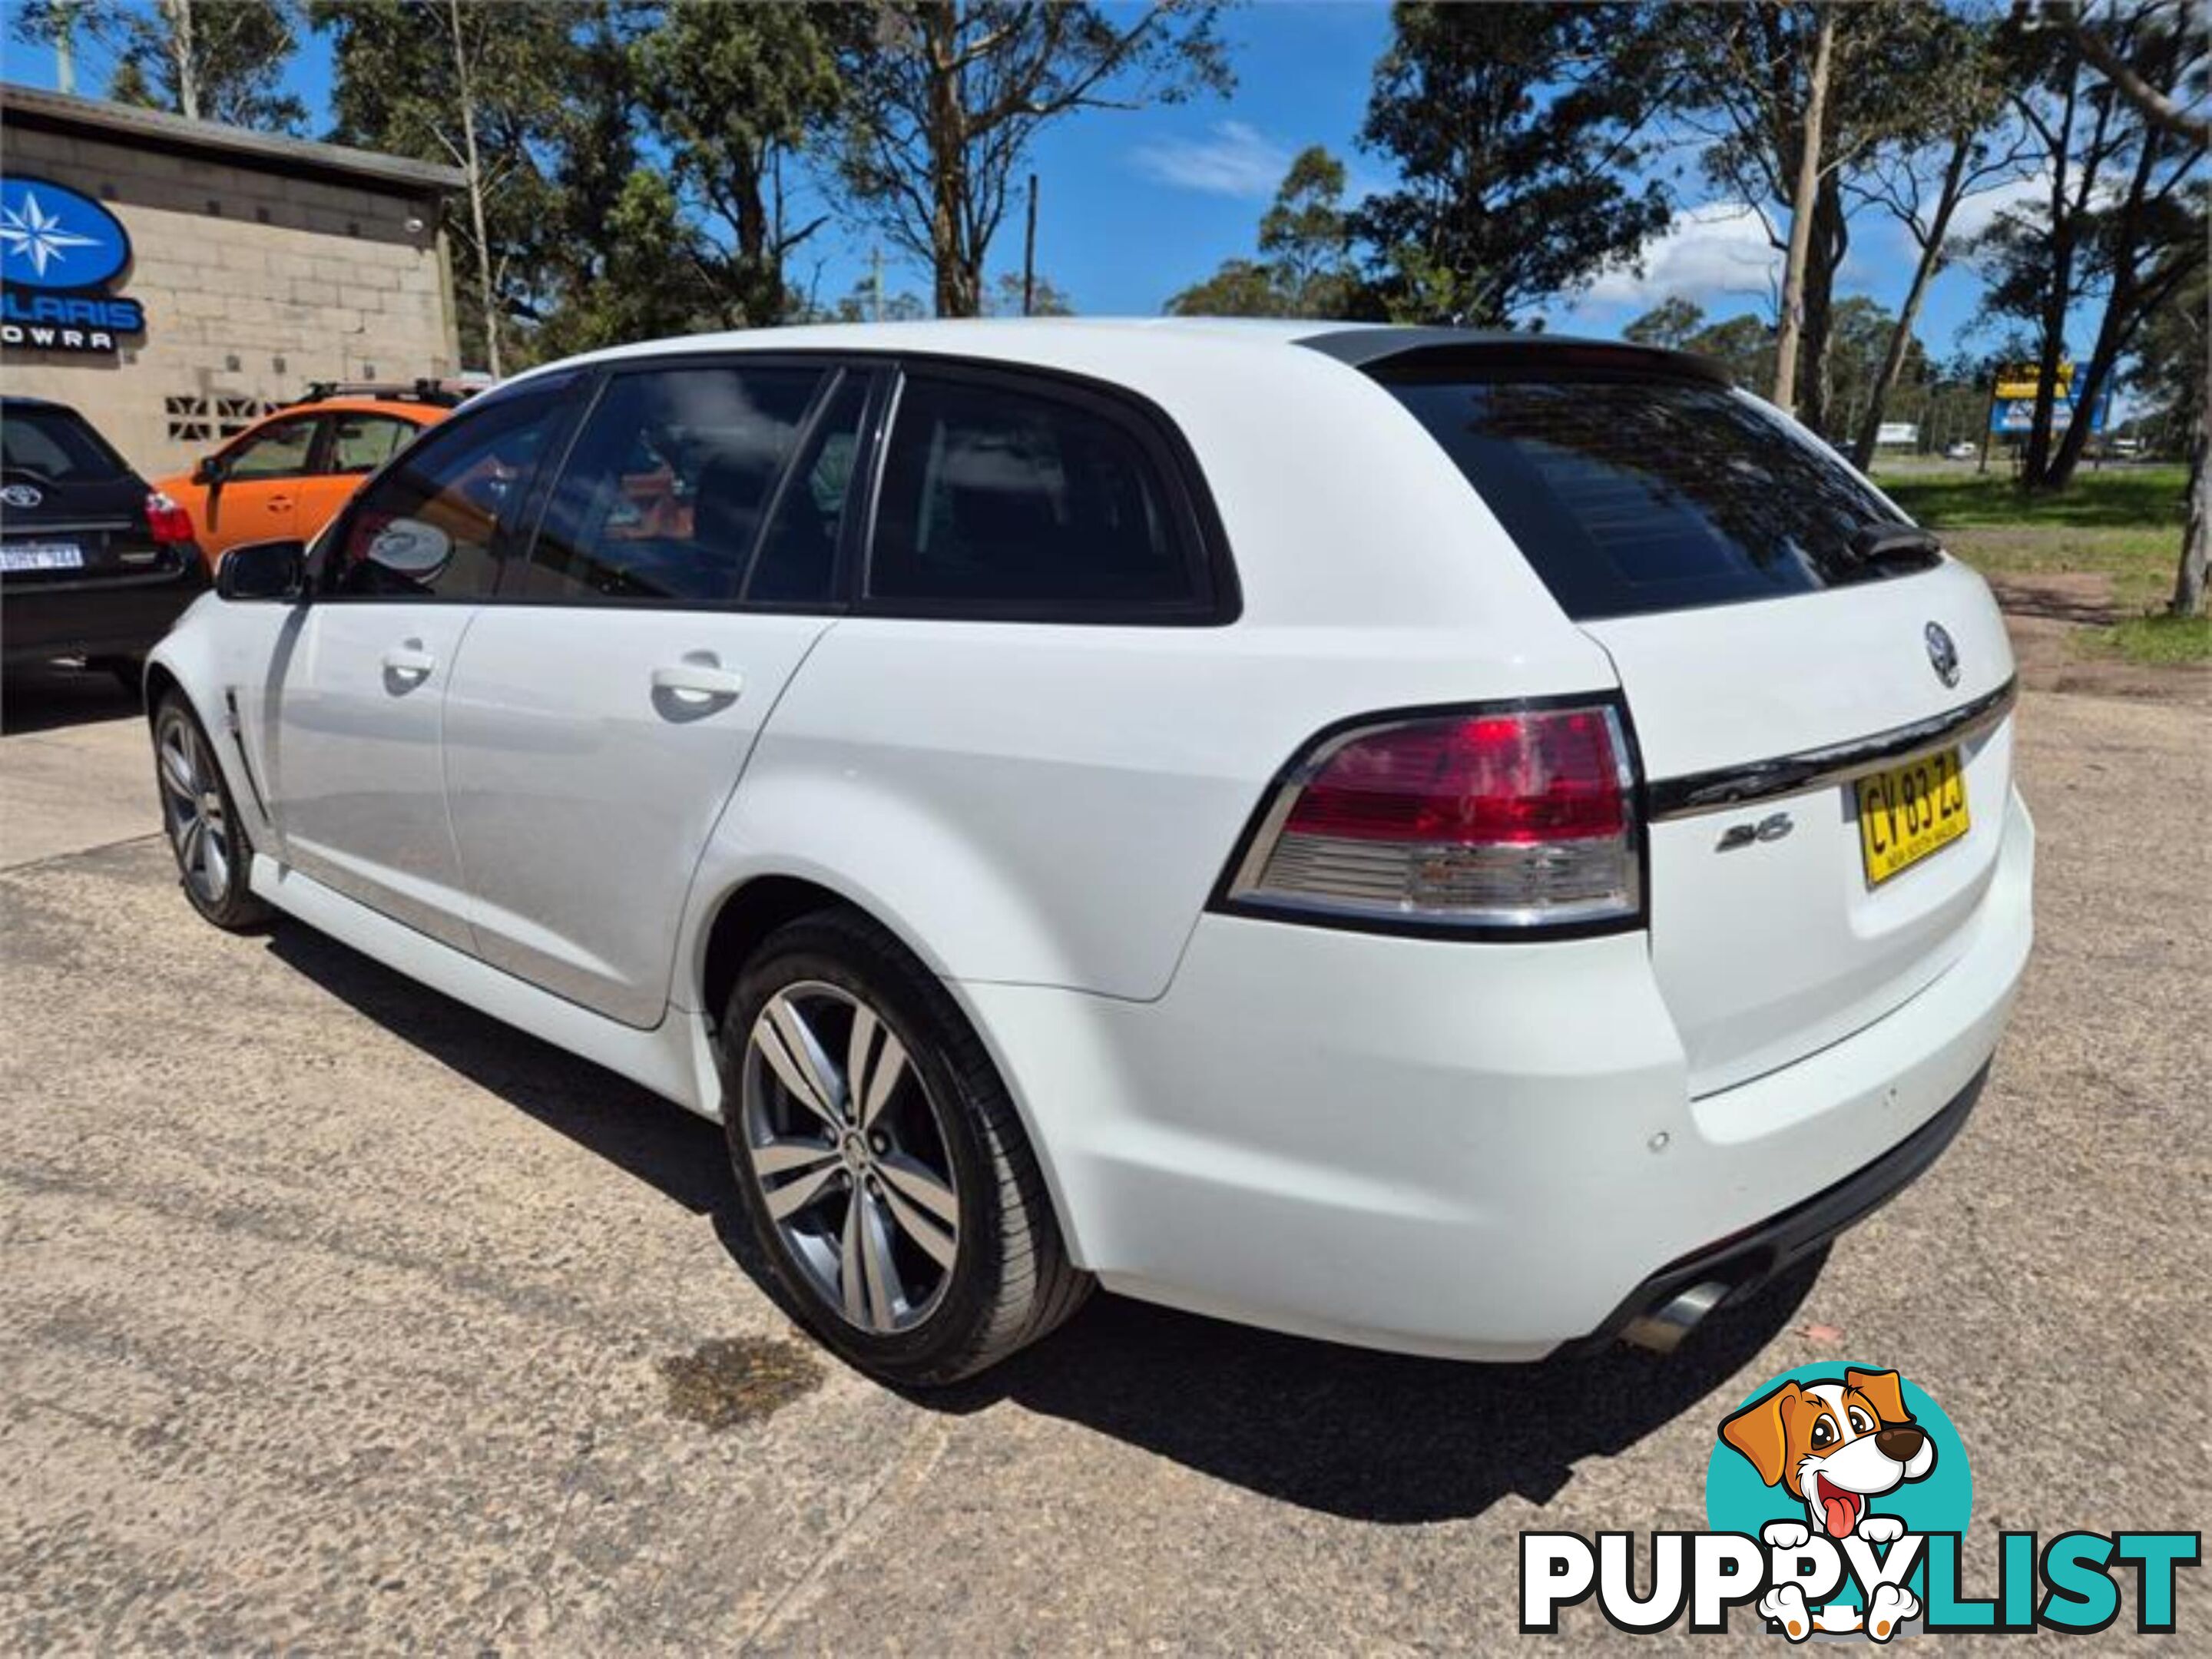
1052	804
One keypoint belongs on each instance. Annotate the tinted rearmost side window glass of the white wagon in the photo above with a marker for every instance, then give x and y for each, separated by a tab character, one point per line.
1012	501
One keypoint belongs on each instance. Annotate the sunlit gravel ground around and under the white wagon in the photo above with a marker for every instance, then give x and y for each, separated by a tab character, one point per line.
337	1317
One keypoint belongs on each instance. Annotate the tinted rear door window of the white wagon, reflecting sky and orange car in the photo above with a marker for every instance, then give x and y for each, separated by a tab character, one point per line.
665	490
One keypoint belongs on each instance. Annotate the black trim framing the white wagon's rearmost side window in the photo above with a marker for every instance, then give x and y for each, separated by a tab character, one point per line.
1191	505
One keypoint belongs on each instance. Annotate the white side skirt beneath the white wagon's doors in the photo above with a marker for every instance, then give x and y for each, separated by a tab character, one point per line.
674	1058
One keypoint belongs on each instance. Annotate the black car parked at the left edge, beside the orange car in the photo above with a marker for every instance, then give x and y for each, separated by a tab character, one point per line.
92	563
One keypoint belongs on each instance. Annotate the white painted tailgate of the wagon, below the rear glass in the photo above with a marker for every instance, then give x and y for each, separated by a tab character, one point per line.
1777	952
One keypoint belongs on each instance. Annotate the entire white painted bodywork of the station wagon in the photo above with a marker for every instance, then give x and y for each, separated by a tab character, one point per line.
1430	1145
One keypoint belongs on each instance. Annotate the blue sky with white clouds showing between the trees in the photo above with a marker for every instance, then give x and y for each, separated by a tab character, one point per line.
1138	205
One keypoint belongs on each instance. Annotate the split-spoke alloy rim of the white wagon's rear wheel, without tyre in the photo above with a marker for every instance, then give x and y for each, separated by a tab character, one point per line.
851	1156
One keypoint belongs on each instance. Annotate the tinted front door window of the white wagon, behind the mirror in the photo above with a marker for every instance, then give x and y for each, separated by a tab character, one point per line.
430	525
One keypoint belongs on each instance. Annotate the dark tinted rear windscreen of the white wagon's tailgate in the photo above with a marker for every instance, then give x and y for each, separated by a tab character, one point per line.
1642	494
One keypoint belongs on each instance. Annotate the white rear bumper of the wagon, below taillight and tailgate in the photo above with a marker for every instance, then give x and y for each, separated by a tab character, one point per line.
1481	1151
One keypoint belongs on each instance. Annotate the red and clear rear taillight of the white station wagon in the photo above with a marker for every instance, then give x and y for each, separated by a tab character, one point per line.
1481	820
